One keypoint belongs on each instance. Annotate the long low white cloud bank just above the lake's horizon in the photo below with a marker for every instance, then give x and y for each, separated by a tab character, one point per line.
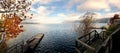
61	17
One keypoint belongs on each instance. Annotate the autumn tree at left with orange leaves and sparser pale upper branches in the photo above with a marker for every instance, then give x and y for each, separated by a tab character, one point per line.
13	12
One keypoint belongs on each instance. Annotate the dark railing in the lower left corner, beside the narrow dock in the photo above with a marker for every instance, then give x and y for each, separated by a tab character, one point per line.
19	47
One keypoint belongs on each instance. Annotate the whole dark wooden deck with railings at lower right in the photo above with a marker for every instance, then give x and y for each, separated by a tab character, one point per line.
97	42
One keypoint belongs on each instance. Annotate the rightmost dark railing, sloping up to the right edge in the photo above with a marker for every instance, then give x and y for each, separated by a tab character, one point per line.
107	46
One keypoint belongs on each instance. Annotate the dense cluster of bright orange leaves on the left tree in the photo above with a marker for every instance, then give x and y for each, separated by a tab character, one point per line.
10	24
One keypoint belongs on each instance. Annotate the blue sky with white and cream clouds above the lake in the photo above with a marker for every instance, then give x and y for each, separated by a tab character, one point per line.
58	11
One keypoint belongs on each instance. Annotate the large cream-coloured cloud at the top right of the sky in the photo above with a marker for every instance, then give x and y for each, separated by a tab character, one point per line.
97	5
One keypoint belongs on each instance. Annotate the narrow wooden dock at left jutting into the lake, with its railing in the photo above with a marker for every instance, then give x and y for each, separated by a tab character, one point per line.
25	46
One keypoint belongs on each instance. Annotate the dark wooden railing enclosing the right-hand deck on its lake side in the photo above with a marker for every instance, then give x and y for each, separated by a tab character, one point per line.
86	42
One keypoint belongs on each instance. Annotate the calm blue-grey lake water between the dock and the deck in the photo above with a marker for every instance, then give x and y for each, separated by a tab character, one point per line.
59	38
